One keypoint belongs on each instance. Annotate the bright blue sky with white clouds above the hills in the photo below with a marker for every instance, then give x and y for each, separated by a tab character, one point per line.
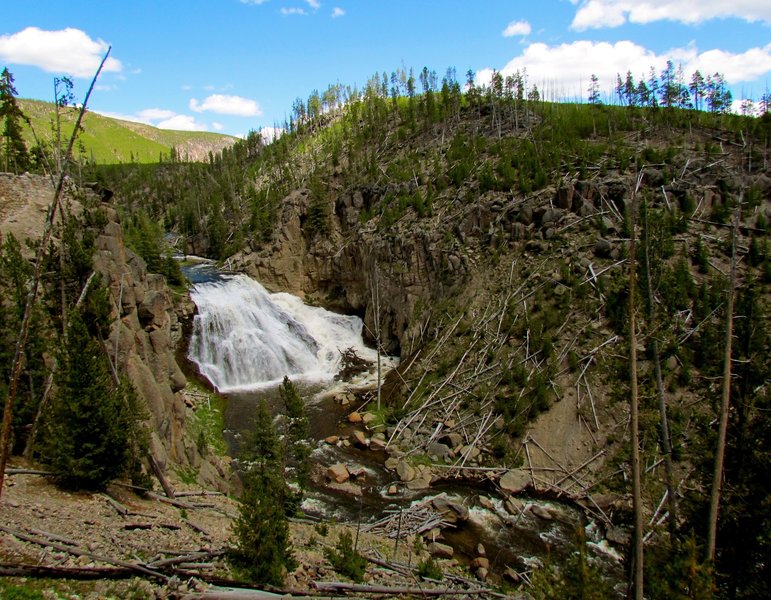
237	65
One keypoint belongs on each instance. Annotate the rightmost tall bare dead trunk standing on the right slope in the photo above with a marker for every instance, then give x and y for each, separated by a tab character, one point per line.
717	478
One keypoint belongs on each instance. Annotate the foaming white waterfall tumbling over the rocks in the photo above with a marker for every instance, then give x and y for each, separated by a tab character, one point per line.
245	338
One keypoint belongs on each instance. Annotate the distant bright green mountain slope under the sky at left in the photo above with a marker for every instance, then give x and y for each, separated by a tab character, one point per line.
111	141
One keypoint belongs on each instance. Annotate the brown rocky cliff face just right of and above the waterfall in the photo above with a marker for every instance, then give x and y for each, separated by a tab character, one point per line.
346	269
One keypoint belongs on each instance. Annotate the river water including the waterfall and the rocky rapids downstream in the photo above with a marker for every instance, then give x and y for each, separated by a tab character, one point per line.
245	340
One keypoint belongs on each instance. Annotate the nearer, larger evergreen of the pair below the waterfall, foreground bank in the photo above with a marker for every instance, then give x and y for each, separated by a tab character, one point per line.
262	547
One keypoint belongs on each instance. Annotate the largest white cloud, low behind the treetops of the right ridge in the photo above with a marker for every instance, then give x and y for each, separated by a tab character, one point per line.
564	70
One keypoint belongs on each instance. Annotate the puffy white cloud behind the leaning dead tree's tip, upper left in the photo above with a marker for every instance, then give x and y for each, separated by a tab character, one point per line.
69	51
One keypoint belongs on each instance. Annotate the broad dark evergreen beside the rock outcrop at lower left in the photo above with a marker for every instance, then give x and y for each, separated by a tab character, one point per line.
88	423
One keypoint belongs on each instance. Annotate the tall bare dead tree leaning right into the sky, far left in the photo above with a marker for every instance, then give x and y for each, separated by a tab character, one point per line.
21	342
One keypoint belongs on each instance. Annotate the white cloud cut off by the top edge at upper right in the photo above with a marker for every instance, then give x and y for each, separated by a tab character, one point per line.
612	13
